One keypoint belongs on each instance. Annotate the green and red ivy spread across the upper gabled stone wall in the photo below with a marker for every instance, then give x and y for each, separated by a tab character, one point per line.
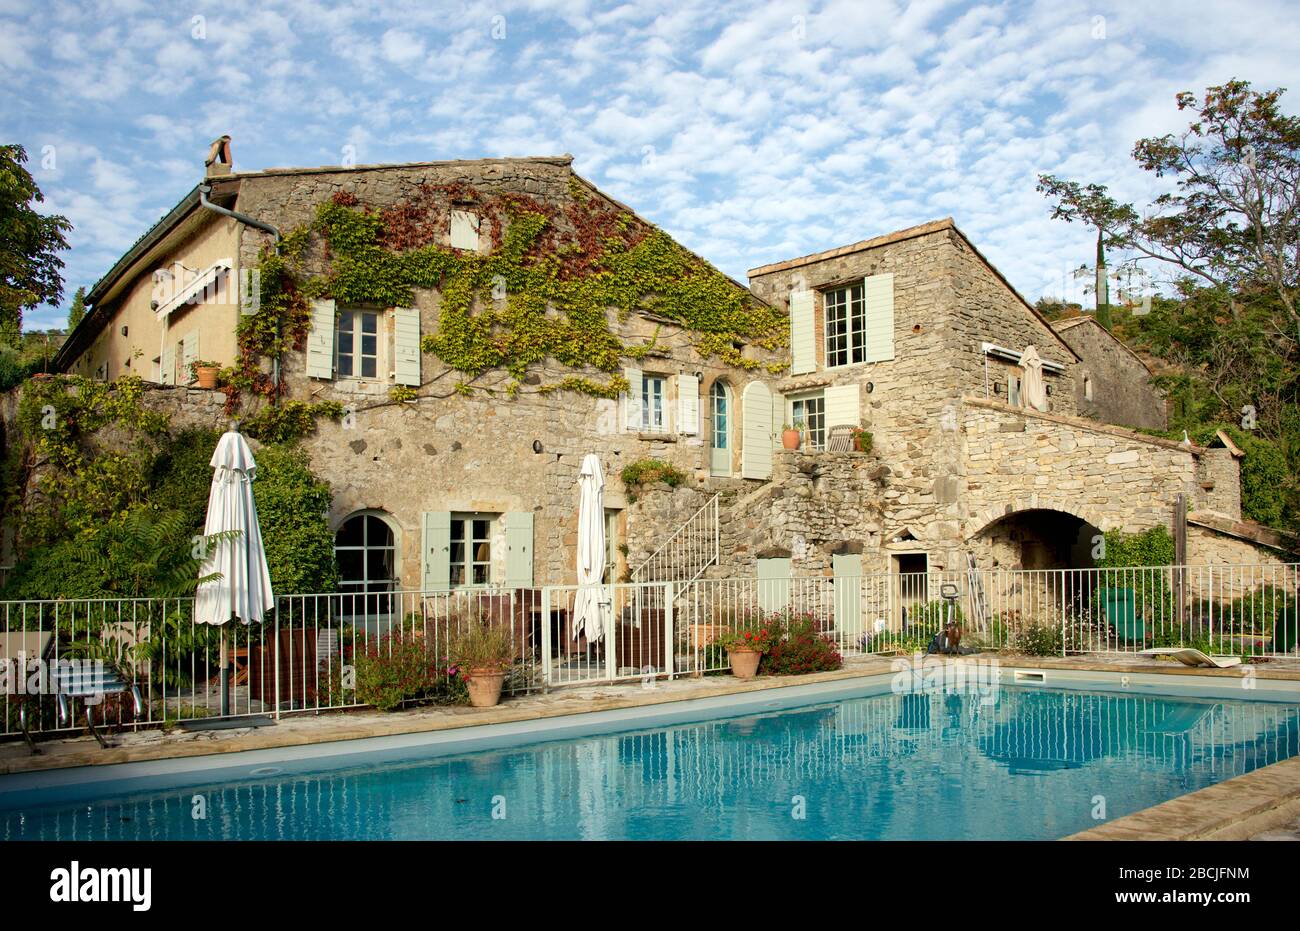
543	291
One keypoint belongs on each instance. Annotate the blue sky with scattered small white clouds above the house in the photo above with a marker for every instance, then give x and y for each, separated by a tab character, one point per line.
752	132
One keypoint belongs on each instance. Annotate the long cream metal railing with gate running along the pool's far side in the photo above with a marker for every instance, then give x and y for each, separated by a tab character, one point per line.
315	653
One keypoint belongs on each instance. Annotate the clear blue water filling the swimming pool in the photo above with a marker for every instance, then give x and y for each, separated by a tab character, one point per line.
1017	764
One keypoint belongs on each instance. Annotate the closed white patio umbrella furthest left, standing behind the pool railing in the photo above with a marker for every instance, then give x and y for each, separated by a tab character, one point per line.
241	588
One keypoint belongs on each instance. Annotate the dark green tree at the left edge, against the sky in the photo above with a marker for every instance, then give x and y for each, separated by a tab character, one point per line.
31	269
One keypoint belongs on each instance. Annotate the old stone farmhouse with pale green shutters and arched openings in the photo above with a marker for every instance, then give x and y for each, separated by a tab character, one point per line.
449	478
